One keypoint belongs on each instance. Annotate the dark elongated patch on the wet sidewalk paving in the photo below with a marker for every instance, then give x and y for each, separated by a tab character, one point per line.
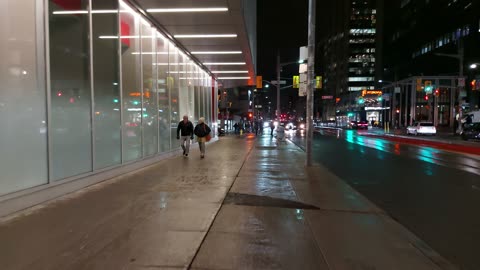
256	200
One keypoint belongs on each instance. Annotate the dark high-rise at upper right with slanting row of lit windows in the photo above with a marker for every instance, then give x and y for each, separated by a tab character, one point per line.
421	33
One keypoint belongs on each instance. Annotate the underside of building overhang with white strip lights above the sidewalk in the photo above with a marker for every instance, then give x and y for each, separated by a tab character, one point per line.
214	32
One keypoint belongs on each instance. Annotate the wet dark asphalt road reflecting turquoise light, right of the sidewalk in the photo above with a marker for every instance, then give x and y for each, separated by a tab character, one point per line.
435	194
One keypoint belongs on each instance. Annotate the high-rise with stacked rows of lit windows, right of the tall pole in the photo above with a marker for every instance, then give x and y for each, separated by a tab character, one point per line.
351	56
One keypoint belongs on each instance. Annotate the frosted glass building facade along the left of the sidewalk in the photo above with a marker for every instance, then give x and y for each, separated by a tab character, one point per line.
89	86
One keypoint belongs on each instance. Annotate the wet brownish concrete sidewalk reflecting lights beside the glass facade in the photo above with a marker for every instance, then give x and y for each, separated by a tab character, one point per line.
250	204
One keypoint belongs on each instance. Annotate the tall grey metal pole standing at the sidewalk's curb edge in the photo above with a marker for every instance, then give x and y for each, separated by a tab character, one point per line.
310	76
